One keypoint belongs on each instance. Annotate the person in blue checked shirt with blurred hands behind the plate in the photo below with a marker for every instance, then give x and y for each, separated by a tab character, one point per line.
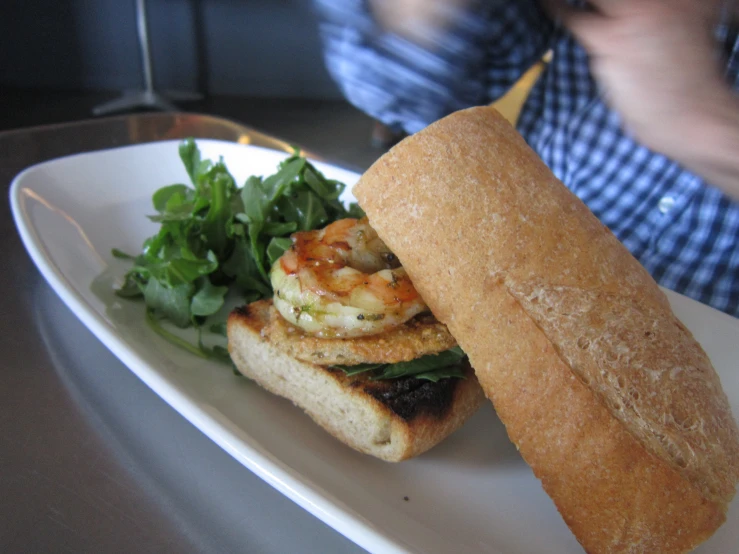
637	113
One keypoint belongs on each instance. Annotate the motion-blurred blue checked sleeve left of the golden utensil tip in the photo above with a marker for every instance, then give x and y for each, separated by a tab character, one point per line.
406	86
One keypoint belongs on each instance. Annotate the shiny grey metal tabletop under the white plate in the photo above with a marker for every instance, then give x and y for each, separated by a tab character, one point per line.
91	460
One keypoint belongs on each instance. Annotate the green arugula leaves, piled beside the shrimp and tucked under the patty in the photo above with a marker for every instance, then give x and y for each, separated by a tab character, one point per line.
216	236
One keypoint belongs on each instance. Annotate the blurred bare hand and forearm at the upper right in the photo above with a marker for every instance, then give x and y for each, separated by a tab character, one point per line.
658	65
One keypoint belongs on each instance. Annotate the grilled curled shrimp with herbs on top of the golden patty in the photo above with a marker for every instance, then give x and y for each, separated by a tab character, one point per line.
342	281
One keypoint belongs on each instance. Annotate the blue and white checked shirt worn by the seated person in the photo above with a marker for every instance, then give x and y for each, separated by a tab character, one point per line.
685	232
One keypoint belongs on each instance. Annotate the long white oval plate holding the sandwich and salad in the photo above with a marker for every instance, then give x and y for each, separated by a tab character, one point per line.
472	493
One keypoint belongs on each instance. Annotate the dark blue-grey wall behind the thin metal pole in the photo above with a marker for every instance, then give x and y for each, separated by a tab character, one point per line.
233	47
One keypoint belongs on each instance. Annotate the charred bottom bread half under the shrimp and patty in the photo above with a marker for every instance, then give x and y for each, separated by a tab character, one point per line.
393	420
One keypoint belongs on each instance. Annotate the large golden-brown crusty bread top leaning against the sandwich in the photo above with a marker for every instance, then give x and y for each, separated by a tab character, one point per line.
608	397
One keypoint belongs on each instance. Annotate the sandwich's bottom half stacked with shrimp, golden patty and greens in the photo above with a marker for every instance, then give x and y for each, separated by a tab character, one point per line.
347	338
